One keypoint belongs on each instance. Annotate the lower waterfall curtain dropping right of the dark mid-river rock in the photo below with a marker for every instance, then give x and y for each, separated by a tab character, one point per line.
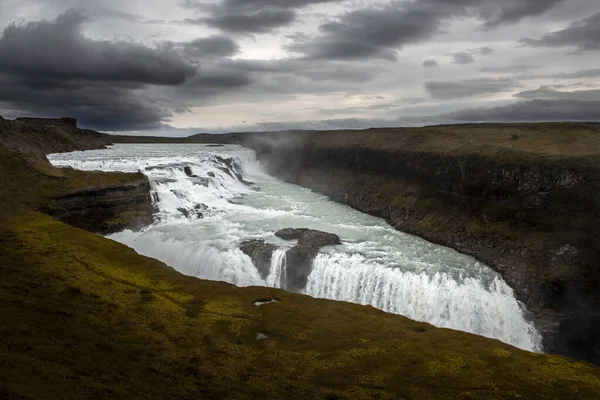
438	298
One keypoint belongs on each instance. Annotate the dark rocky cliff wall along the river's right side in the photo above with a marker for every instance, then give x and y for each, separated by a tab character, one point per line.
531	215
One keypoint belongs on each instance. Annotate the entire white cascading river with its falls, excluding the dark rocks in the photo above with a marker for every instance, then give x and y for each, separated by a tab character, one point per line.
206	210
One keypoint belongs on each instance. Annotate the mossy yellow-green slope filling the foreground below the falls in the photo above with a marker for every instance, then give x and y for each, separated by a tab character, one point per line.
84	317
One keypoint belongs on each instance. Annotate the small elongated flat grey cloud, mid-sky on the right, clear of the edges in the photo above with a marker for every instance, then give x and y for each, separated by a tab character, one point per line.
469	87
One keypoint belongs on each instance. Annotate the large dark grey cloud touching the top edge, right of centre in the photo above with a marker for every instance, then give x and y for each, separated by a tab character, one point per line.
380	31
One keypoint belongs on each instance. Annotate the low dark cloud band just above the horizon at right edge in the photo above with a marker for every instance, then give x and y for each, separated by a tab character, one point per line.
531	111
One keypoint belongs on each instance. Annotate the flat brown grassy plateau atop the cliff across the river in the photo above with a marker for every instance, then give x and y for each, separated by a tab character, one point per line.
543	140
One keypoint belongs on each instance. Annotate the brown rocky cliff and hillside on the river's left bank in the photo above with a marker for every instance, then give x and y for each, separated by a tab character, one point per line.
98	202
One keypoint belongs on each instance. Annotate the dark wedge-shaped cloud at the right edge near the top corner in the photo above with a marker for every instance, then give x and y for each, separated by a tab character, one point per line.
583	35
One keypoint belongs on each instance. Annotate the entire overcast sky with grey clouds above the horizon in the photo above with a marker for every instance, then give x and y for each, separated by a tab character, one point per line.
181	67
